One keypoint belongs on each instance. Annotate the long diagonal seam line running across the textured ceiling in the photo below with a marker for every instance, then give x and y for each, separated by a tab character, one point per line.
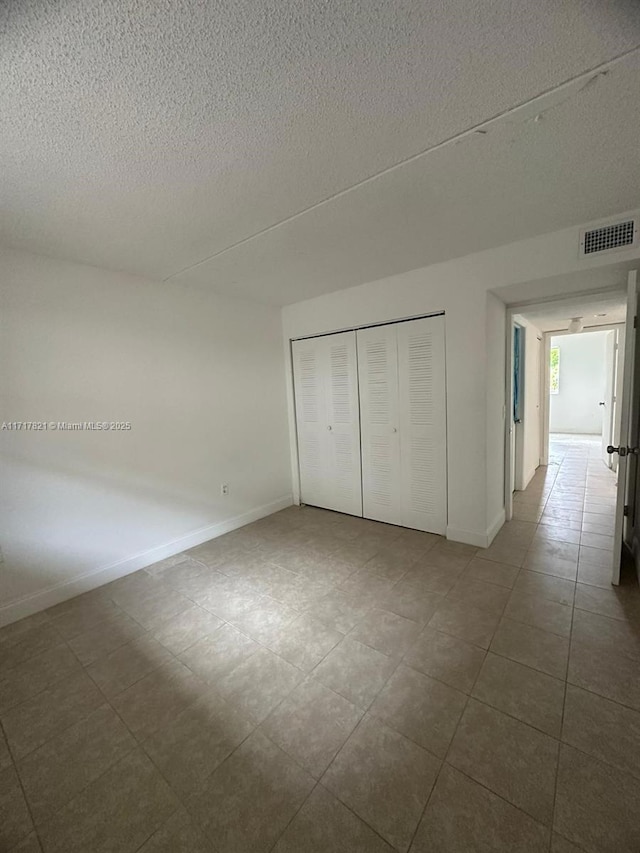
596	70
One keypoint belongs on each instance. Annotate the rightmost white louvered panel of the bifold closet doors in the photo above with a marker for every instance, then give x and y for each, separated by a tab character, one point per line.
423	424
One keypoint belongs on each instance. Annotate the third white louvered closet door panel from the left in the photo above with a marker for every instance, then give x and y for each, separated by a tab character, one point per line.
379	419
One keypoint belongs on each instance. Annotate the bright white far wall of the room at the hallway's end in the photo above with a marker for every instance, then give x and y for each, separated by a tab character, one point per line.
575	409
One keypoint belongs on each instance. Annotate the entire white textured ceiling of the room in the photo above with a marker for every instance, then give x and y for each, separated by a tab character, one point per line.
168	139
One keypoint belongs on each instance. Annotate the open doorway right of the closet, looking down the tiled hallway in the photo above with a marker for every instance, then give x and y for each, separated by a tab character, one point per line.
581	408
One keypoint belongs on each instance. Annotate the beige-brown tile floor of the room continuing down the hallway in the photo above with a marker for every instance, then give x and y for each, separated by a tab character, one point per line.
316	683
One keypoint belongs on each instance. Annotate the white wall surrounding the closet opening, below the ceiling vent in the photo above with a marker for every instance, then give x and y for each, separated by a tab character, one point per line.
460	288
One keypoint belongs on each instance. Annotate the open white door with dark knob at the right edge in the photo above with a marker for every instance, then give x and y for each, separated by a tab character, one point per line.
630	397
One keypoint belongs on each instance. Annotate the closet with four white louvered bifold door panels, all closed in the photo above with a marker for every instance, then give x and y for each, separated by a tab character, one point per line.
371	422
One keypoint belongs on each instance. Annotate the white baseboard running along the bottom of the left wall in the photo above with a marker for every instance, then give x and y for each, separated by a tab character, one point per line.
58	593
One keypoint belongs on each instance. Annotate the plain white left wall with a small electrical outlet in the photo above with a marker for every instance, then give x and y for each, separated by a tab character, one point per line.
199	377
